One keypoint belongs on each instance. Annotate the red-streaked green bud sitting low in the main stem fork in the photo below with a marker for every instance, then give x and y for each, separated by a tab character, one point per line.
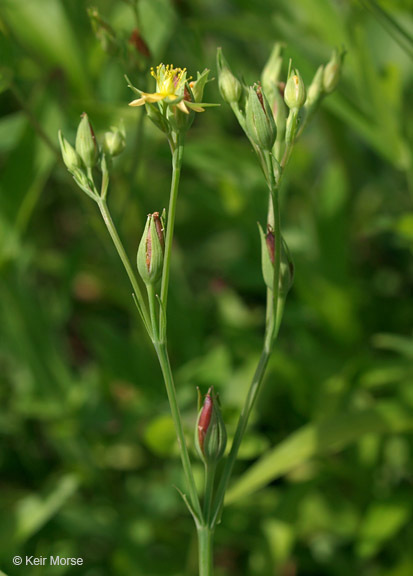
210	432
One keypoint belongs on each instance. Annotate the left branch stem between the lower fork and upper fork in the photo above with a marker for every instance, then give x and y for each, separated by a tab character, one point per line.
163	358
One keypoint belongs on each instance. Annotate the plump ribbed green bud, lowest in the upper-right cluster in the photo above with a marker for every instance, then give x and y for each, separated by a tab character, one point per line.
260	124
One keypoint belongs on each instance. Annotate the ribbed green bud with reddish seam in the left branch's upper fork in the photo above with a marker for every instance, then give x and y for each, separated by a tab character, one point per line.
151	250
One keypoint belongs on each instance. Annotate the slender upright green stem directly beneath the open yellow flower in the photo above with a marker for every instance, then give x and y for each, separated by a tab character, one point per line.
177	155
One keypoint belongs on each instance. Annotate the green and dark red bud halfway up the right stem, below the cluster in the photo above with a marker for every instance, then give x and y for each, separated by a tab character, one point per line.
267	260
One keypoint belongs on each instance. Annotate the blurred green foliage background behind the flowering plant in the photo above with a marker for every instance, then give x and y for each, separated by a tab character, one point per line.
88	455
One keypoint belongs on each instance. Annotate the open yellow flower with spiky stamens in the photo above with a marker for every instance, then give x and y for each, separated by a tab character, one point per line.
170	88
